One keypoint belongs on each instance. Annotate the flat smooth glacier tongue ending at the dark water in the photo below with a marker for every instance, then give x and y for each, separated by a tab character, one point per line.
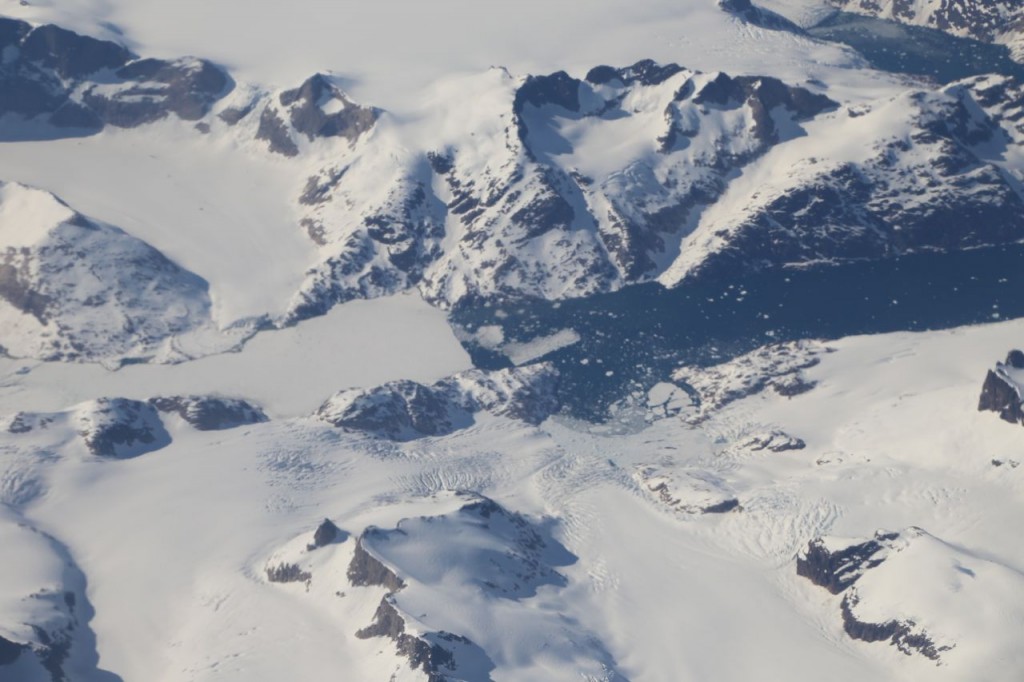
289	372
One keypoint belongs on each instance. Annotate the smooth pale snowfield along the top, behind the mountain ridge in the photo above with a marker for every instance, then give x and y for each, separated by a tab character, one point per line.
387	52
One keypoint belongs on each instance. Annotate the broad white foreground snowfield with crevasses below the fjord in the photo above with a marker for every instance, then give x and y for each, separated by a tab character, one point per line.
894	440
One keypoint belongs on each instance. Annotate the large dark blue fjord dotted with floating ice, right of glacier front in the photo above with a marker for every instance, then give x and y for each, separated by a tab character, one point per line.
634	338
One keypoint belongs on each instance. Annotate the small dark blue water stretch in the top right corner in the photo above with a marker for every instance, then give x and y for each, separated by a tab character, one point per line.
917	51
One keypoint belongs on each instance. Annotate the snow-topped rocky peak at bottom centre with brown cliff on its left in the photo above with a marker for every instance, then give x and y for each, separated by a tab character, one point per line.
480	551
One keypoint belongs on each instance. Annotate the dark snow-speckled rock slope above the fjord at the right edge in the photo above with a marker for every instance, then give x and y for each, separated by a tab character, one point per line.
889	204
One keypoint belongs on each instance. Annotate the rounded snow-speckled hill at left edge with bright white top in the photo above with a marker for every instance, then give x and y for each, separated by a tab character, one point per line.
74	289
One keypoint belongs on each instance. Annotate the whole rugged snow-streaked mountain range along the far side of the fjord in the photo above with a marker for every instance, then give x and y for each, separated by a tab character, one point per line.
554	187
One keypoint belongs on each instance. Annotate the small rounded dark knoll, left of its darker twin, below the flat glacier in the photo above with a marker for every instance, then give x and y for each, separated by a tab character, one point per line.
120	428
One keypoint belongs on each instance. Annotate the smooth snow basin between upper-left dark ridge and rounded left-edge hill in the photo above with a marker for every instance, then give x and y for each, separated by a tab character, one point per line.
225	214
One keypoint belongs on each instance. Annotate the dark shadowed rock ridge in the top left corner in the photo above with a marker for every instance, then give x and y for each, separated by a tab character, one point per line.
79	83
